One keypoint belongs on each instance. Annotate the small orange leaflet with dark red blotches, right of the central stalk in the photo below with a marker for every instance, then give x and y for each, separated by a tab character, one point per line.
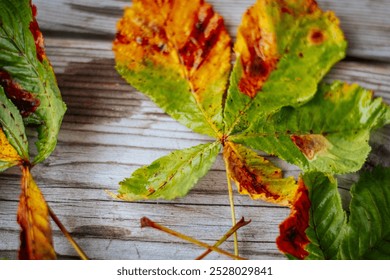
256	176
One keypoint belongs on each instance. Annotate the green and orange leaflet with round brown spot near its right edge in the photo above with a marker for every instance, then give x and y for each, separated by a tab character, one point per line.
283	49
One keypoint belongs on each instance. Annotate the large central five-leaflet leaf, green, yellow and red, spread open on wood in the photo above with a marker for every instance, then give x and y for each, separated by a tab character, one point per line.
178	54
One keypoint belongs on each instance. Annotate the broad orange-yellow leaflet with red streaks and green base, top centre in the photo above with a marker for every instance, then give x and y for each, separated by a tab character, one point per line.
179	56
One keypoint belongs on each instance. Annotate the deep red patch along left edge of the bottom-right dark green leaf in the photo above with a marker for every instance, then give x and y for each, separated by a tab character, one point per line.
293	239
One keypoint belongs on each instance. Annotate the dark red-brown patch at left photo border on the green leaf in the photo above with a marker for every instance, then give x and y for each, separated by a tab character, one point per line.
25	101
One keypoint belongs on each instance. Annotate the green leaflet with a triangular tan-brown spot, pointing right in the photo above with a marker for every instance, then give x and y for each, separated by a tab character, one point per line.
330	133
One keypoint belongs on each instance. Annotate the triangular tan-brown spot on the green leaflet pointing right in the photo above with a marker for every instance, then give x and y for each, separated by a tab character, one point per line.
310	145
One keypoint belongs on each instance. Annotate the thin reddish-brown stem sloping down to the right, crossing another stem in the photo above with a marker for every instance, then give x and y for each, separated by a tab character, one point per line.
146	222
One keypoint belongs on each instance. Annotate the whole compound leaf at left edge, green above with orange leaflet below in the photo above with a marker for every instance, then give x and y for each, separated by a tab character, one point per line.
28	95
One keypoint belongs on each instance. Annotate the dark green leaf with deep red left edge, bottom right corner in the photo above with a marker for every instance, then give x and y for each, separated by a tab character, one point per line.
323	230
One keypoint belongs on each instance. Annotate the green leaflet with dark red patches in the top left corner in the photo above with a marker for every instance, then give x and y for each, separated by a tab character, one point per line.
26	73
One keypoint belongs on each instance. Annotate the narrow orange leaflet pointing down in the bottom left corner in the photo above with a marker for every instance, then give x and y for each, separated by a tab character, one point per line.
33	217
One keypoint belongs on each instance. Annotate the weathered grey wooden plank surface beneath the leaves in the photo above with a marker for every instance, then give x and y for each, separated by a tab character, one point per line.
110	130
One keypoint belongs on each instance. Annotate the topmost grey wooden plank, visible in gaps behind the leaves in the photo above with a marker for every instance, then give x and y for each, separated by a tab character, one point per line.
366	22
